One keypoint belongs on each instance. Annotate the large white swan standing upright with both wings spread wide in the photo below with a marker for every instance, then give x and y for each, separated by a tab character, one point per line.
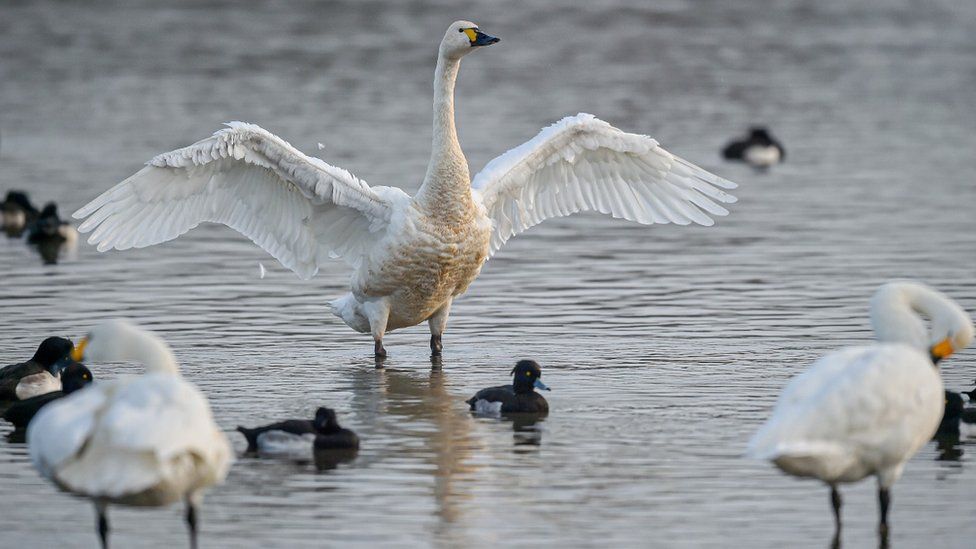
411	256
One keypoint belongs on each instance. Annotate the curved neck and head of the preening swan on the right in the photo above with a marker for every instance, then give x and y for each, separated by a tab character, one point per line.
897	311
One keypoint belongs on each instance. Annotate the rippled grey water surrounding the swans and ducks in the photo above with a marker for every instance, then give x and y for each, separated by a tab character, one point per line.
665	346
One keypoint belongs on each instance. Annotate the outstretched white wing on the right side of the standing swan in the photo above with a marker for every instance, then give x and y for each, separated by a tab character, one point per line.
581	163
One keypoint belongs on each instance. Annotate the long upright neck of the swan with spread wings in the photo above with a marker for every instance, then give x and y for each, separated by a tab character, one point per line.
446	191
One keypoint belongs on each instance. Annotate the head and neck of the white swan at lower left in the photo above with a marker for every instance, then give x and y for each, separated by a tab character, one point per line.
122	341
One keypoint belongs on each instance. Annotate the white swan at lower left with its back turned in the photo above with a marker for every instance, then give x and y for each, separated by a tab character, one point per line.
145	441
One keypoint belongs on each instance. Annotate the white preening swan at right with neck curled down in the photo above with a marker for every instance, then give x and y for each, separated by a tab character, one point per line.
863	411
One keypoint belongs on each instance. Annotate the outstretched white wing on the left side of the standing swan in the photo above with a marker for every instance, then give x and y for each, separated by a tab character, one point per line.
298	208
